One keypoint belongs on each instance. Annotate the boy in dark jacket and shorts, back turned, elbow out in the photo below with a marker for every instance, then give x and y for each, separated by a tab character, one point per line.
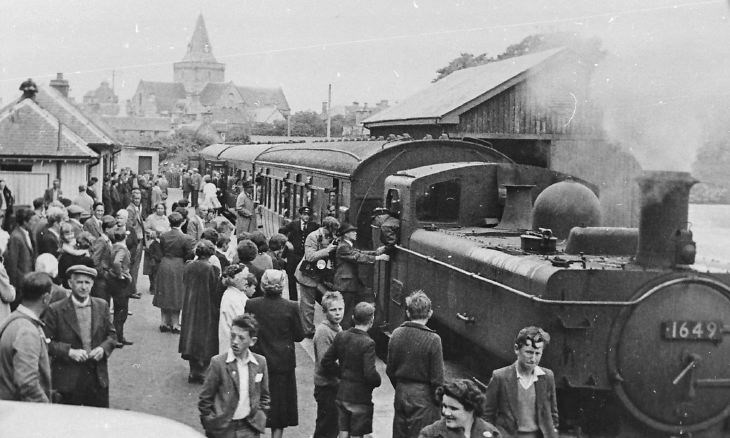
354	351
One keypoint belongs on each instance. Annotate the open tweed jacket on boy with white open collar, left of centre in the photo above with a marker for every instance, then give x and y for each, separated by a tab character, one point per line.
220	395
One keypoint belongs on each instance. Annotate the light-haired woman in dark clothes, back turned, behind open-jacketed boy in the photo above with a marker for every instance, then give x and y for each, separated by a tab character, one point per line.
281	327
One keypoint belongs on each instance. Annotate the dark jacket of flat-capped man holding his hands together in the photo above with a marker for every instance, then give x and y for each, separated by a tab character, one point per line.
62	327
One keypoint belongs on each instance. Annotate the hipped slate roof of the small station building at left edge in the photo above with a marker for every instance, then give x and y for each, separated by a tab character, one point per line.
28	130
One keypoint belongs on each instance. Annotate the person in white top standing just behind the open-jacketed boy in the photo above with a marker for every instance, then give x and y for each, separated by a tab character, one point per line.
240	285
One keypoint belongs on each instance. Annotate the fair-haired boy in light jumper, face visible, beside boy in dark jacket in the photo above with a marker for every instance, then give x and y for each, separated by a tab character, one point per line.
325	387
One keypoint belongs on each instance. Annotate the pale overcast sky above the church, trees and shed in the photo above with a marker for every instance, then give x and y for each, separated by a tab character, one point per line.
660	51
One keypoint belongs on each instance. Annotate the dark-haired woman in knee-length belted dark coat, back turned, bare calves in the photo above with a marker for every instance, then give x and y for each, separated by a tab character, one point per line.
176	247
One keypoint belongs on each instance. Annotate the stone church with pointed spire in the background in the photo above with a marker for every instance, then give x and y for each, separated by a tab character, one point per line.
199	93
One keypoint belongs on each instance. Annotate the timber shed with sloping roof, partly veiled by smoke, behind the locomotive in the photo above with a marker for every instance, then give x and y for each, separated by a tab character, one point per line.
536	109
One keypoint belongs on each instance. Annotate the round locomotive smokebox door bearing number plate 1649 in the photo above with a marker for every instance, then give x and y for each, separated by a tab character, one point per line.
669	354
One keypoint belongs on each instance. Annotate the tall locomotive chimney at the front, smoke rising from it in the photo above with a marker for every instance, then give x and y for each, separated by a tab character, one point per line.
664	240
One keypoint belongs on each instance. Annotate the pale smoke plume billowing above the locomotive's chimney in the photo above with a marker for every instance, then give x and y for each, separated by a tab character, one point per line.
664	85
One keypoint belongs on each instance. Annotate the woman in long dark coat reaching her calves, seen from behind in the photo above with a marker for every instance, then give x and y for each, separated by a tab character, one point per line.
199	335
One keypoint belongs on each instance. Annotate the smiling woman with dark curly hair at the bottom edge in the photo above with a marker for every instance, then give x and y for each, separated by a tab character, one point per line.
461	406
